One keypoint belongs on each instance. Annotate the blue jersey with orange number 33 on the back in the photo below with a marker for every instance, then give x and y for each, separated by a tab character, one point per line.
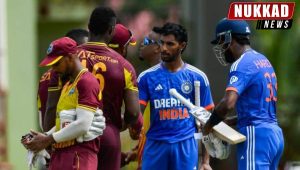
253	78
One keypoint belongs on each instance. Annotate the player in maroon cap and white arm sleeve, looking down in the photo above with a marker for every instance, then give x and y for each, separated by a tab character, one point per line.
81	93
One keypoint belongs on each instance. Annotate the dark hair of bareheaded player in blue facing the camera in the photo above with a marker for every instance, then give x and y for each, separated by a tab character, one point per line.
177	30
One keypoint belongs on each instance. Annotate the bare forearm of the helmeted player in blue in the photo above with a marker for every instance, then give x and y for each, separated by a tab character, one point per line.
225	106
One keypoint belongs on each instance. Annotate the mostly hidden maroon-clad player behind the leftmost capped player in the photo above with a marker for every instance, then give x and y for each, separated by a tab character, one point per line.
53	88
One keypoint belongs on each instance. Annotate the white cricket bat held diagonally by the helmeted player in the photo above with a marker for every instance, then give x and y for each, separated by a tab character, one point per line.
221	130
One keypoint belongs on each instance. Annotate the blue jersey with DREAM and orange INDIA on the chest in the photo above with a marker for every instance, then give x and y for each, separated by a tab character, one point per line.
169	119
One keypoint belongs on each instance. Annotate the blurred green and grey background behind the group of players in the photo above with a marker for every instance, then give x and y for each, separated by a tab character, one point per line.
27	28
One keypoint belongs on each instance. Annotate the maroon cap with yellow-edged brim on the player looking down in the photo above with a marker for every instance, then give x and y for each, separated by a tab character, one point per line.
57	49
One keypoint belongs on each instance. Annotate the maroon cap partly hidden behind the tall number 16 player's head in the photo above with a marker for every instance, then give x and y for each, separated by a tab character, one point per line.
122	37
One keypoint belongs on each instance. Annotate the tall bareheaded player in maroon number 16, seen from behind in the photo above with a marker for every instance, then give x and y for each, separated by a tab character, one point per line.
118	84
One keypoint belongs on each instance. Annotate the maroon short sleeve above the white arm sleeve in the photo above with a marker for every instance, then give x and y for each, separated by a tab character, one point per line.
88	92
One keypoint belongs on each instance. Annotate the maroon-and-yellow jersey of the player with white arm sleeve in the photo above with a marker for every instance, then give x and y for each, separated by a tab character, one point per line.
83	92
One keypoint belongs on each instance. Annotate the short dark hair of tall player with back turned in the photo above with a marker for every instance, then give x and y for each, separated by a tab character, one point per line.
101	20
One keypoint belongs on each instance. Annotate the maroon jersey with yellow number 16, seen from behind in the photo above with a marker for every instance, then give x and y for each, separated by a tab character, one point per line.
115	74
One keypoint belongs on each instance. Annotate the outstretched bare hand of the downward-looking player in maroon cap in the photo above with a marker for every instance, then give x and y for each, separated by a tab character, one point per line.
38	142
